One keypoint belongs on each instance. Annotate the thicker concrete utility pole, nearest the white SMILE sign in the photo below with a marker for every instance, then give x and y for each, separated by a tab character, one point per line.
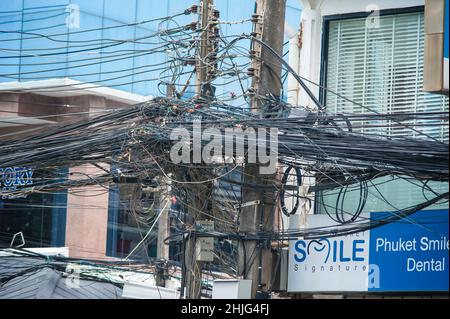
257	213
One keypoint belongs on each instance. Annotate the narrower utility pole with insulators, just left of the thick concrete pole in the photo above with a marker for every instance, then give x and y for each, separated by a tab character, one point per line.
204	73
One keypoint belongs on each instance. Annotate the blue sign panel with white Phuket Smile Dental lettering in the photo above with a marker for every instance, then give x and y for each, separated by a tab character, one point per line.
412	254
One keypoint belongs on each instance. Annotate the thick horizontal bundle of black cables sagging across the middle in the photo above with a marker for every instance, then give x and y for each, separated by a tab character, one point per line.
136	141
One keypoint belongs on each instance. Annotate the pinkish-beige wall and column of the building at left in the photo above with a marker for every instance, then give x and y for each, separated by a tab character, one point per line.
87	207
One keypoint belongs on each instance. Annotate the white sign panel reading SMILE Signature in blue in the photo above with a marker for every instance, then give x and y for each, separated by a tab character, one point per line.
317	265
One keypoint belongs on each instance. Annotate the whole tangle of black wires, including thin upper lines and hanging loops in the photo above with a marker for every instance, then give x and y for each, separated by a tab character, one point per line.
133	144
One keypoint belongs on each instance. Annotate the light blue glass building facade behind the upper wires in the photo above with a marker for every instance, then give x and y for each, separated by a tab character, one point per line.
43	39
